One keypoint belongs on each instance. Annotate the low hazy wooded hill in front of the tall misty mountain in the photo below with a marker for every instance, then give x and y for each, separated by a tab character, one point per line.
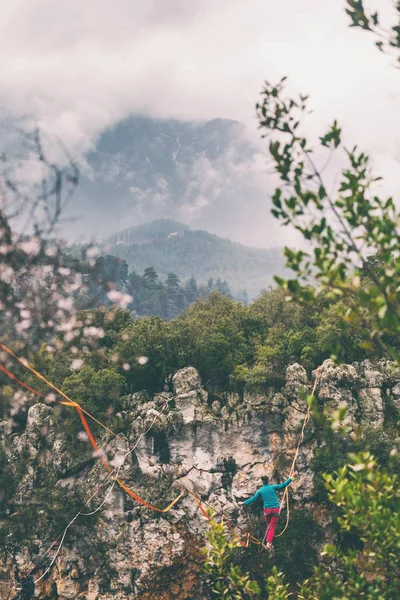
170	246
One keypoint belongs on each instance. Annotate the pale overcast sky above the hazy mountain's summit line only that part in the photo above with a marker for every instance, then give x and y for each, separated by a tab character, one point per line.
78	66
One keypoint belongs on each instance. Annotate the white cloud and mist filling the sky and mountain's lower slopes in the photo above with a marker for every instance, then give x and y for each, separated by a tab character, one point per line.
75	69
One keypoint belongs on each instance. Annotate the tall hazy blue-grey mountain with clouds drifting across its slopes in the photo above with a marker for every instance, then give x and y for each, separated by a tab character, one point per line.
204	173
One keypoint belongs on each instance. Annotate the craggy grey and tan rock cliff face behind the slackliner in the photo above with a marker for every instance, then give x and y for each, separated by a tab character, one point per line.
217	447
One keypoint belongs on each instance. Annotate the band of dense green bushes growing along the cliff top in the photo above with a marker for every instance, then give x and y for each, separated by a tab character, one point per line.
232	346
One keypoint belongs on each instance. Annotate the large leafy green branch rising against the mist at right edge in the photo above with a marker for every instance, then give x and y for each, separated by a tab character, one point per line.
337	227
